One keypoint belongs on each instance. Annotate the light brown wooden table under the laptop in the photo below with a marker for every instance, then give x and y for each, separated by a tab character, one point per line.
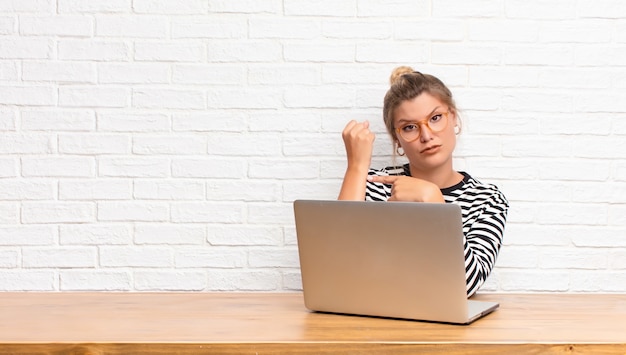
269	323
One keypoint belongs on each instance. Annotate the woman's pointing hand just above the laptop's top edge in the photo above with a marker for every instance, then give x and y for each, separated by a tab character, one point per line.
406	188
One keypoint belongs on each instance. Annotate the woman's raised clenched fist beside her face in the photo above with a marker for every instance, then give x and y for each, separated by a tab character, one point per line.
359	142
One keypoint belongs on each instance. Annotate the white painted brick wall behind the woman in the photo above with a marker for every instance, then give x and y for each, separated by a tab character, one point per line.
155	145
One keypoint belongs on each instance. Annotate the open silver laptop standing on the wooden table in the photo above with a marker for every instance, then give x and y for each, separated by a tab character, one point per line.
385	259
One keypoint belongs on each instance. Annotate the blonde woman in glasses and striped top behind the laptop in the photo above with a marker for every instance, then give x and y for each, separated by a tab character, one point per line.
422	120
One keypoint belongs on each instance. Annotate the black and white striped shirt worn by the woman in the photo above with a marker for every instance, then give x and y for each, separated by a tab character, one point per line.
484	209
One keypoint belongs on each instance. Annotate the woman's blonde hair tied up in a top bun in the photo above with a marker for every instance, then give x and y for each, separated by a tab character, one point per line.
407	84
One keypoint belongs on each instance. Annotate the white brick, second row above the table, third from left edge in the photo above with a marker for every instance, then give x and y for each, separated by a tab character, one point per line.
146	256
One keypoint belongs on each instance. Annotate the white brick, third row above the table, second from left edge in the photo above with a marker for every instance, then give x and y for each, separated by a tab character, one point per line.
95	234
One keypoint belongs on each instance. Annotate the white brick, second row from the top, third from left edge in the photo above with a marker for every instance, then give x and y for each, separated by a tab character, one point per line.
132	26
